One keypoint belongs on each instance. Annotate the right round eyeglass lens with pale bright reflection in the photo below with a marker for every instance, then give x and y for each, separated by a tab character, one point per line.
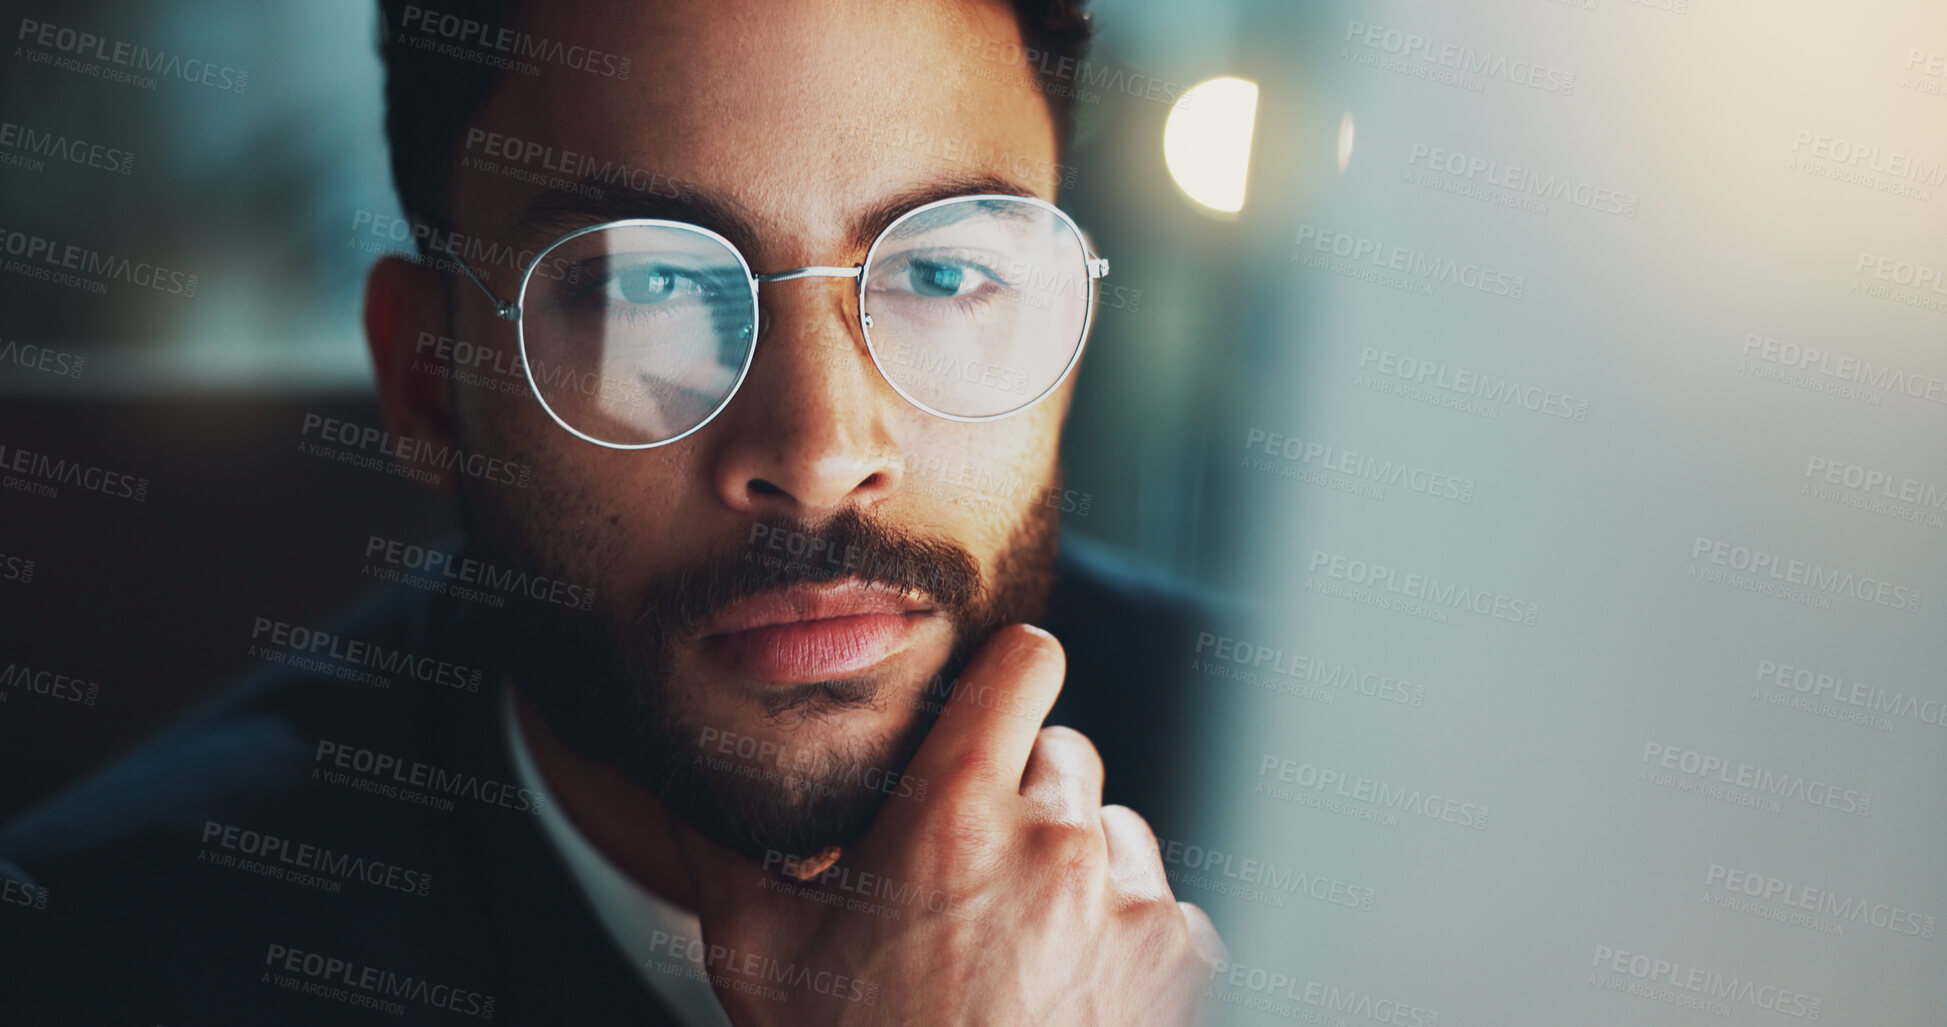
978	305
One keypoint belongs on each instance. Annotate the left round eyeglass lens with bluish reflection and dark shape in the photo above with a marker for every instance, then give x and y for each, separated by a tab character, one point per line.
642	336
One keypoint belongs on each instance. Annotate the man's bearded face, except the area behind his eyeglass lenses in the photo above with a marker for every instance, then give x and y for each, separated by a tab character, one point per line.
784	593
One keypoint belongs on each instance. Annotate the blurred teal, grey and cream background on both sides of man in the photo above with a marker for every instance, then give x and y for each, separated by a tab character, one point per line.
1564	383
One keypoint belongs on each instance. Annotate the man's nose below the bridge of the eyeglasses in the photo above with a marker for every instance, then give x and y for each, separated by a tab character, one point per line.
813	426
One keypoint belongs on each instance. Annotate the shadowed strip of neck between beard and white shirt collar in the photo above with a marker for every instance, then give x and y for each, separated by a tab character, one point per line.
620	819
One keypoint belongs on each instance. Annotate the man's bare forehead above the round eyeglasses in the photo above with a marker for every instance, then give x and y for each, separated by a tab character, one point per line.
797	112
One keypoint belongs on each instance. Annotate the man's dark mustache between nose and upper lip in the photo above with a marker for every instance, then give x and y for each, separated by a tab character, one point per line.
778	552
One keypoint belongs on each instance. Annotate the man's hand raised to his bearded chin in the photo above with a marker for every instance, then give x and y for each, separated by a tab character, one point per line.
1025	899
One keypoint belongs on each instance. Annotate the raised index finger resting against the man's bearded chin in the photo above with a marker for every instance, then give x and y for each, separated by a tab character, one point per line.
990	724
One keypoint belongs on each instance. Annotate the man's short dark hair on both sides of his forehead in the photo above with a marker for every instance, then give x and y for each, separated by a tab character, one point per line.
431	95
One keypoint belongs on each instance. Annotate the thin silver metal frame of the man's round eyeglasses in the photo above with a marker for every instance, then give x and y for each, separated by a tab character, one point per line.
1095	268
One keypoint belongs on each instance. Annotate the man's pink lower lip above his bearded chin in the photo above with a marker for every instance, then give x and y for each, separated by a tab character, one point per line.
815	650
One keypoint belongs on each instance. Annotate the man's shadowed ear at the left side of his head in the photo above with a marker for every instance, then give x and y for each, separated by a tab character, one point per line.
404	317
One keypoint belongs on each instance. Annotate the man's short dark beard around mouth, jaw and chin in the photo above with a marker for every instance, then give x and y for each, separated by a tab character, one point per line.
606	681
